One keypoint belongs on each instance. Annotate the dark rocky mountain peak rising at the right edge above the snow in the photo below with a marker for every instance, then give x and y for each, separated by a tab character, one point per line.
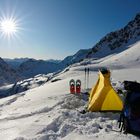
117	40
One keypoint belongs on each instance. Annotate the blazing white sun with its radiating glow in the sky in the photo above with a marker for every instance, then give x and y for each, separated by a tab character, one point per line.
11	25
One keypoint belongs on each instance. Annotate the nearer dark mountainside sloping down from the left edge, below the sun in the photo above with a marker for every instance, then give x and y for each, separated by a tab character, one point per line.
7	74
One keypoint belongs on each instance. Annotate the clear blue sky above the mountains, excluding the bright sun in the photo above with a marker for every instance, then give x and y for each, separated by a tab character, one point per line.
54	29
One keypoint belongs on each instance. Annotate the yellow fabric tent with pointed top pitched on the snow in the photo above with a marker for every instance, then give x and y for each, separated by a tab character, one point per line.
103	97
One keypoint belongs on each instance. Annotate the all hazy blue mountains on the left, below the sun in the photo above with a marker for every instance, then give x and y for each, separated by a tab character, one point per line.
13	70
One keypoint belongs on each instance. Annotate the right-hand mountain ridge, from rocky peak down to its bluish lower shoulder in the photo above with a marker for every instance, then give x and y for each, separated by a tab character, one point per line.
113	42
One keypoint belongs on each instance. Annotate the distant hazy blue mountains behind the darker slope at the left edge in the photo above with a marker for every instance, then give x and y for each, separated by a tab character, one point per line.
28	67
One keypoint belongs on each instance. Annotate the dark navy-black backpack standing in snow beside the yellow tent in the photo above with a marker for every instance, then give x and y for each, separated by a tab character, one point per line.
130	115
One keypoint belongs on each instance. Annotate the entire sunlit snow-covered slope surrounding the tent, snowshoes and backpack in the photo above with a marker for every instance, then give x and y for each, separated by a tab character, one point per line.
50	112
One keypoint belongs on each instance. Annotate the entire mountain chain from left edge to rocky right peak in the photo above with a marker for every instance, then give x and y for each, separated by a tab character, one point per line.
12	70
